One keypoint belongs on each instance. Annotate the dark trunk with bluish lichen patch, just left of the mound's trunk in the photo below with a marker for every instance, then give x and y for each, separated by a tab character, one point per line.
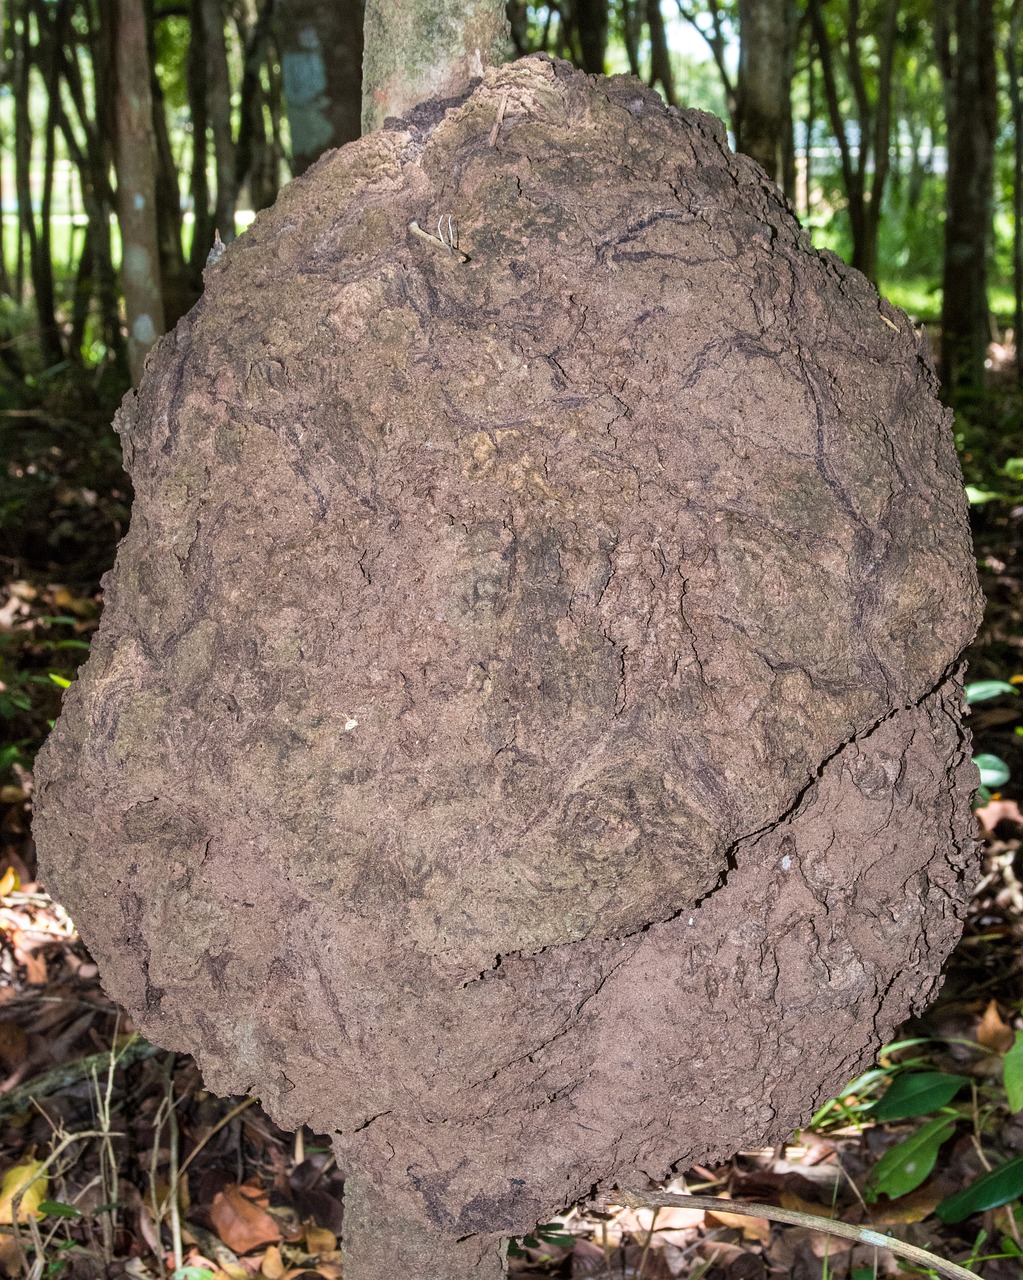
322	67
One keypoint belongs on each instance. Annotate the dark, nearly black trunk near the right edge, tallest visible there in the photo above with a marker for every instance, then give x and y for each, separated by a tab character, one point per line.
971	86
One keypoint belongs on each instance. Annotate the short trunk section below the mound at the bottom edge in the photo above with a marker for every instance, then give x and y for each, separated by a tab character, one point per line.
385	1241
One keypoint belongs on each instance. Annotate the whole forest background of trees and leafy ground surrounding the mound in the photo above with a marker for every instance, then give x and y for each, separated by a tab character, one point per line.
135	135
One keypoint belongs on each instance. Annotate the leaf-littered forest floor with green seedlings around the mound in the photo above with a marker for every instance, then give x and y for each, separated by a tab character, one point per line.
140	1172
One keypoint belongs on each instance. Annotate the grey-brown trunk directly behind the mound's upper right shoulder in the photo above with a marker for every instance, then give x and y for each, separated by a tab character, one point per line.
764	116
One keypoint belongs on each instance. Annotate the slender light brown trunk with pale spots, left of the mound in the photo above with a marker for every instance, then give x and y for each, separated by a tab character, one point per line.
136	168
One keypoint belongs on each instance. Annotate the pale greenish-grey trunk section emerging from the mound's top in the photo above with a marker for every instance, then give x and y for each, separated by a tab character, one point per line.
419	49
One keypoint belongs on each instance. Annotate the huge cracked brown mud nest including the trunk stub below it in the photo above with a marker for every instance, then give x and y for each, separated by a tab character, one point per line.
523	739
